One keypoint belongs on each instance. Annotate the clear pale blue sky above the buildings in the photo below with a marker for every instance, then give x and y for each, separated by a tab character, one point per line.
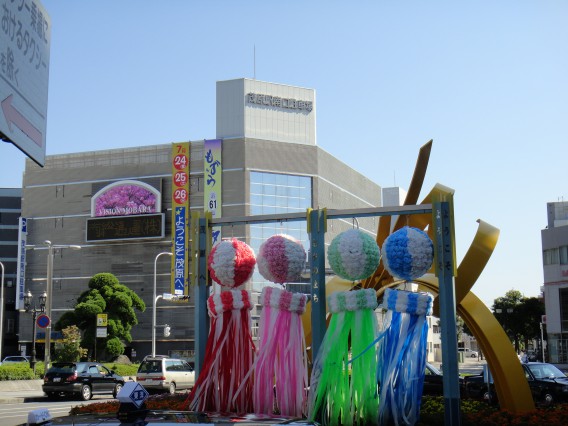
486	80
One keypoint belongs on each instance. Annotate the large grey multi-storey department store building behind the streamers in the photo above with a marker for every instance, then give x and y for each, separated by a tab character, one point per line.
270	162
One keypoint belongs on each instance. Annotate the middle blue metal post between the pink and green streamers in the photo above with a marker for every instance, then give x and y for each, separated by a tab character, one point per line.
316	228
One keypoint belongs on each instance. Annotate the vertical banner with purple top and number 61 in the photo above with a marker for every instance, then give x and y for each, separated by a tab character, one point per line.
212	191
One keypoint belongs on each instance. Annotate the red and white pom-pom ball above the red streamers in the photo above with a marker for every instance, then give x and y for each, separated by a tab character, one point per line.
231	263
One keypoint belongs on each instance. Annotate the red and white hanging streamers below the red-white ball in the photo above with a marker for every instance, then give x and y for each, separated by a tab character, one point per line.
224	384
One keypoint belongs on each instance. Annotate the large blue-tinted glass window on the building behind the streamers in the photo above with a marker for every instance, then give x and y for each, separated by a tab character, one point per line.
272	193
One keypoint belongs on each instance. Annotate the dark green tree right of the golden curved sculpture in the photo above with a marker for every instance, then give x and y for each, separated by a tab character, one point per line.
519	316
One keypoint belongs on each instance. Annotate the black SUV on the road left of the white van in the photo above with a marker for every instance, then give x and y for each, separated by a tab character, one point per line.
82	379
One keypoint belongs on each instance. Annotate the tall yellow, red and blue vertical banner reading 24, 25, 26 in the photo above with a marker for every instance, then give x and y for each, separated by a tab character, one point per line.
180	215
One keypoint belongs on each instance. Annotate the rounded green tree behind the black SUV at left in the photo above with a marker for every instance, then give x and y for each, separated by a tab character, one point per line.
105	295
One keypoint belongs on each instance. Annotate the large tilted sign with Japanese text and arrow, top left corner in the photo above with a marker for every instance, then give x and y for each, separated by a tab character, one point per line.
24	73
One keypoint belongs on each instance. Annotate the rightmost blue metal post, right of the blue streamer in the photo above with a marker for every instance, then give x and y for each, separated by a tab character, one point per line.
445	272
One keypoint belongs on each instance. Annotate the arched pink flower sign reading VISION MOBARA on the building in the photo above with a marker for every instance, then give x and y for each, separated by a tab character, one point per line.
127	197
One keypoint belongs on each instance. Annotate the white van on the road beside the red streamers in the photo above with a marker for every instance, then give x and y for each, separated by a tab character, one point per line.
164	374
